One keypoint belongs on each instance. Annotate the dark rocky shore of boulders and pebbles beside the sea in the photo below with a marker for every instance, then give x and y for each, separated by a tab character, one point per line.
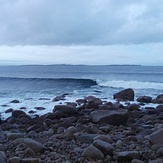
88	130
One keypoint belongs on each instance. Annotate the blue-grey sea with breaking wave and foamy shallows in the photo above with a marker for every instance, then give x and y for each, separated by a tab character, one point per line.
37	85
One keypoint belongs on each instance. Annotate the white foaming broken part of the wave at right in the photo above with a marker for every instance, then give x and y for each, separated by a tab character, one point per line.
130	84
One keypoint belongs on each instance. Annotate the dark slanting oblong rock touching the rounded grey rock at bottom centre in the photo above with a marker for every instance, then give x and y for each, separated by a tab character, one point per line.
104	147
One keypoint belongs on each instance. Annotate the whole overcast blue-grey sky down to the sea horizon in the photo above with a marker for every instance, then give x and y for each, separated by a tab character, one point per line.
81	32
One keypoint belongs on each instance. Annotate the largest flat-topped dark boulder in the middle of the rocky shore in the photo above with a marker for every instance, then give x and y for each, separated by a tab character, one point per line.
113	117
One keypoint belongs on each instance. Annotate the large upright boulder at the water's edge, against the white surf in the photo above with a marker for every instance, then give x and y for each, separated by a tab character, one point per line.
126	94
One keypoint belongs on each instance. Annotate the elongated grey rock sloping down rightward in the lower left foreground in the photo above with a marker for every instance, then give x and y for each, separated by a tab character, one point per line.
36	146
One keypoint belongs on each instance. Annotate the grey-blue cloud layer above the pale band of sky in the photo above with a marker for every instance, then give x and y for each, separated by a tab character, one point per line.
80	22
